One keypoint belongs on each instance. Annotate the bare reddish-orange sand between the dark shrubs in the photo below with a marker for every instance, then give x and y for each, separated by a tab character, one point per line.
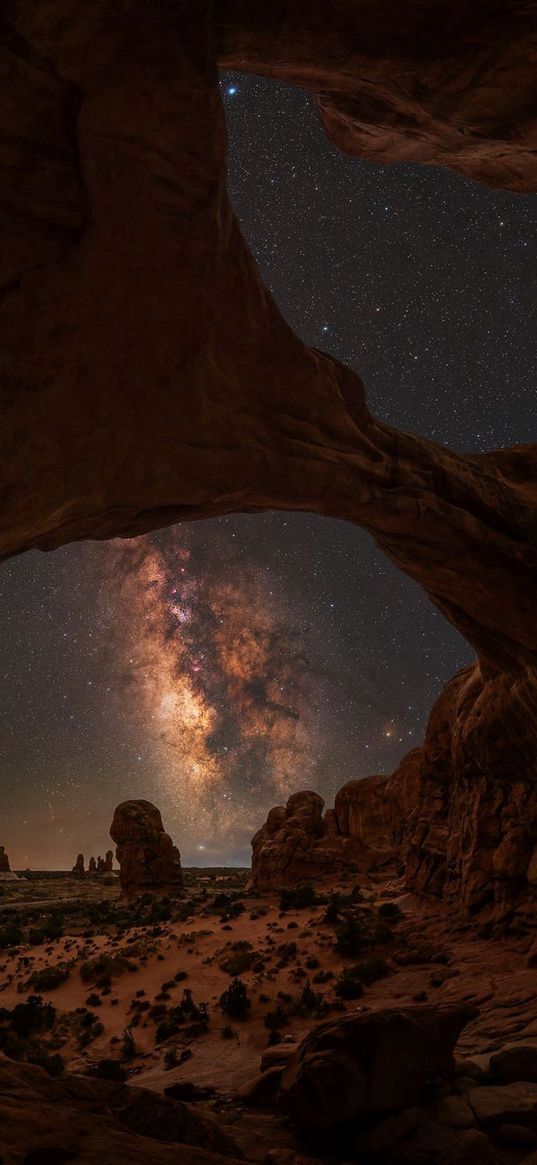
491	975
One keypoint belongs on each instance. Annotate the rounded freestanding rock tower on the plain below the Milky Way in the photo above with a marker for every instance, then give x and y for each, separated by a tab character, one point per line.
147	856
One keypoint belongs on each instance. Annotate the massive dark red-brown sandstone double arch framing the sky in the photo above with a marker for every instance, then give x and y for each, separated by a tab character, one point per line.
149	377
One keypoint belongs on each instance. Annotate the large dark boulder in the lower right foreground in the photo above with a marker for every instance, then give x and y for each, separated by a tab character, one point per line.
349	1072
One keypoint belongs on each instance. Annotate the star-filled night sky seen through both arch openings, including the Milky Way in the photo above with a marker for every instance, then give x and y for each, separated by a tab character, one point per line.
218	667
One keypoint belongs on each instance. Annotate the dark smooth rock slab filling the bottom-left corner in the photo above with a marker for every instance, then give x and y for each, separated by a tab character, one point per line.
48	1122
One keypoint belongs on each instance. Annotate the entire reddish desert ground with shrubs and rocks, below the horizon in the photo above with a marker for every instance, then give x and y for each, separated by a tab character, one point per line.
201	992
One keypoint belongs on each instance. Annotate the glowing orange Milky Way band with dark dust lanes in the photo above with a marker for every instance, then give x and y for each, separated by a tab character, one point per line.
211	656
